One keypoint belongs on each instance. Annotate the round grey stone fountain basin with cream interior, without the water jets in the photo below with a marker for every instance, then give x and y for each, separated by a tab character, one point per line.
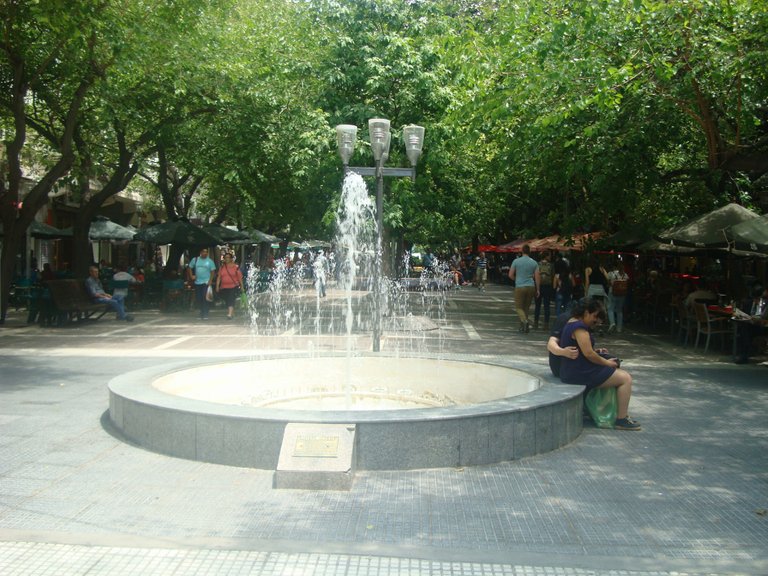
408	412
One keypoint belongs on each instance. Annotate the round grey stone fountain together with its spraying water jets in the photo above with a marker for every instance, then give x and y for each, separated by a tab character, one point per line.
407	406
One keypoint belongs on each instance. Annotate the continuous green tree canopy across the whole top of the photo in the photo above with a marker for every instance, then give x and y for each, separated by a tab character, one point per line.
541	117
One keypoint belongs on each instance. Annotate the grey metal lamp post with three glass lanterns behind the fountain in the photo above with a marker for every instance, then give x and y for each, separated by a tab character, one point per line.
380	136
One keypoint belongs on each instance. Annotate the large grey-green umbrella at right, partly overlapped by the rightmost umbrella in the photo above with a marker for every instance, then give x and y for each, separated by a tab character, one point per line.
708	230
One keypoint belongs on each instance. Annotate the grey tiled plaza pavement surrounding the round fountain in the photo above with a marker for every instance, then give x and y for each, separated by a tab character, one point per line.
687	495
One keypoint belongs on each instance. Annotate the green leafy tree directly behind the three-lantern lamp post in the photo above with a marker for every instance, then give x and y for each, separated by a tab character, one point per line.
388	60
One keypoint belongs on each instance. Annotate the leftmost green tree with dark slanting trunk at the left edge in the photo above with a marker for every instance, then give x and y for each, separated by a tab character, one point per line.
54	53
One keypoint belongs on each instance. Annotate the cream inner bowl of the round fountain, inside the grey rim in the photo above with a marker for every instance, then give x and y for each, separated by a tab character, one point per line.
360	383
